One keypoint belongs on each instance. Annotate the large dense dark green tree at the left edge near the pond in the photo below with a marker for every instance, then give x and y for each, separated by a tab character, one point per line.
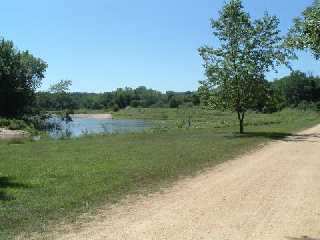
20	75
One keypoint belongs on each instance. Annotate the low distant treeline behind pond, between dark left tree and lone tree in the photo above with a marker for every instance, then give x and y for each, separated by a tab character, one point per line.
115	100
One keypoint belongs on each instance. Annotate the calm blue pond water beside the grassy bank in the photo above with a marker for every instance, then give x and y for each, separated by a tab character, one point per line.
82	126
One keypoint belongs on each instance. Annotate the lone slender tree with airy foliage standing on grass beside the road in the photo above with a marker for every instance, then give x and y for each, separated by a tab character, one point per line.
236	69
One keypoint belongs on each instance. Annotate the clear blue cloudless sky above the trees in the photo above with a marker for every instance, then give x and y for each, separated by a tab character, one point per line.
105	44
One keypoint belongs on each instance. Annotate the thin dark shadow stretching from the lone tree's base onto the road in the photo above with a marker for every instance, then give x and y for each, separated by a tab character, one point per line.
283	136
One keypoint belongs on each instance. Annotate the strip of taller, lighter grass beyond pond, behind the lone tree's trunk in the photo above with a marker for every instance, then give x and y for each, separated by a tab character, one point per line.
204	118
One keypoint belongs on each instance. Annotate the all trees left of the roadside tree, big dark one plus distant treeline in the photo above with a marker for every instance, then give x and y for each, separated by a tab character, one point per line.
21	74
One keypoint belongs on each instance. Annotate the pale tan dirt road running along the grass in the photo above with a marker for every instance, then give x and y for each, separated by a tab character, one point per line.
273	194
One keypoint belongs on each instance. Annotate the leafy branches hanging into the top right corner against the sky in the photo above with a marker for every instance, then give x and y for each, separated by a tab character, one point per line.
305	32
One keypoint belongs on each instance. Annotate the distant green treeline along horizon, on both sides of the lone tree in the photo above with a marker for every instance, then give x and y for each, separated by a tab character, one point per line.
296	90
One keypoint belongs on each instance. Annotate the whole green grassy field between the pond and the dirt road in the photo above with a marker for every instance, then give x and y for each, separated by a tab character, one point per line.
46	181
